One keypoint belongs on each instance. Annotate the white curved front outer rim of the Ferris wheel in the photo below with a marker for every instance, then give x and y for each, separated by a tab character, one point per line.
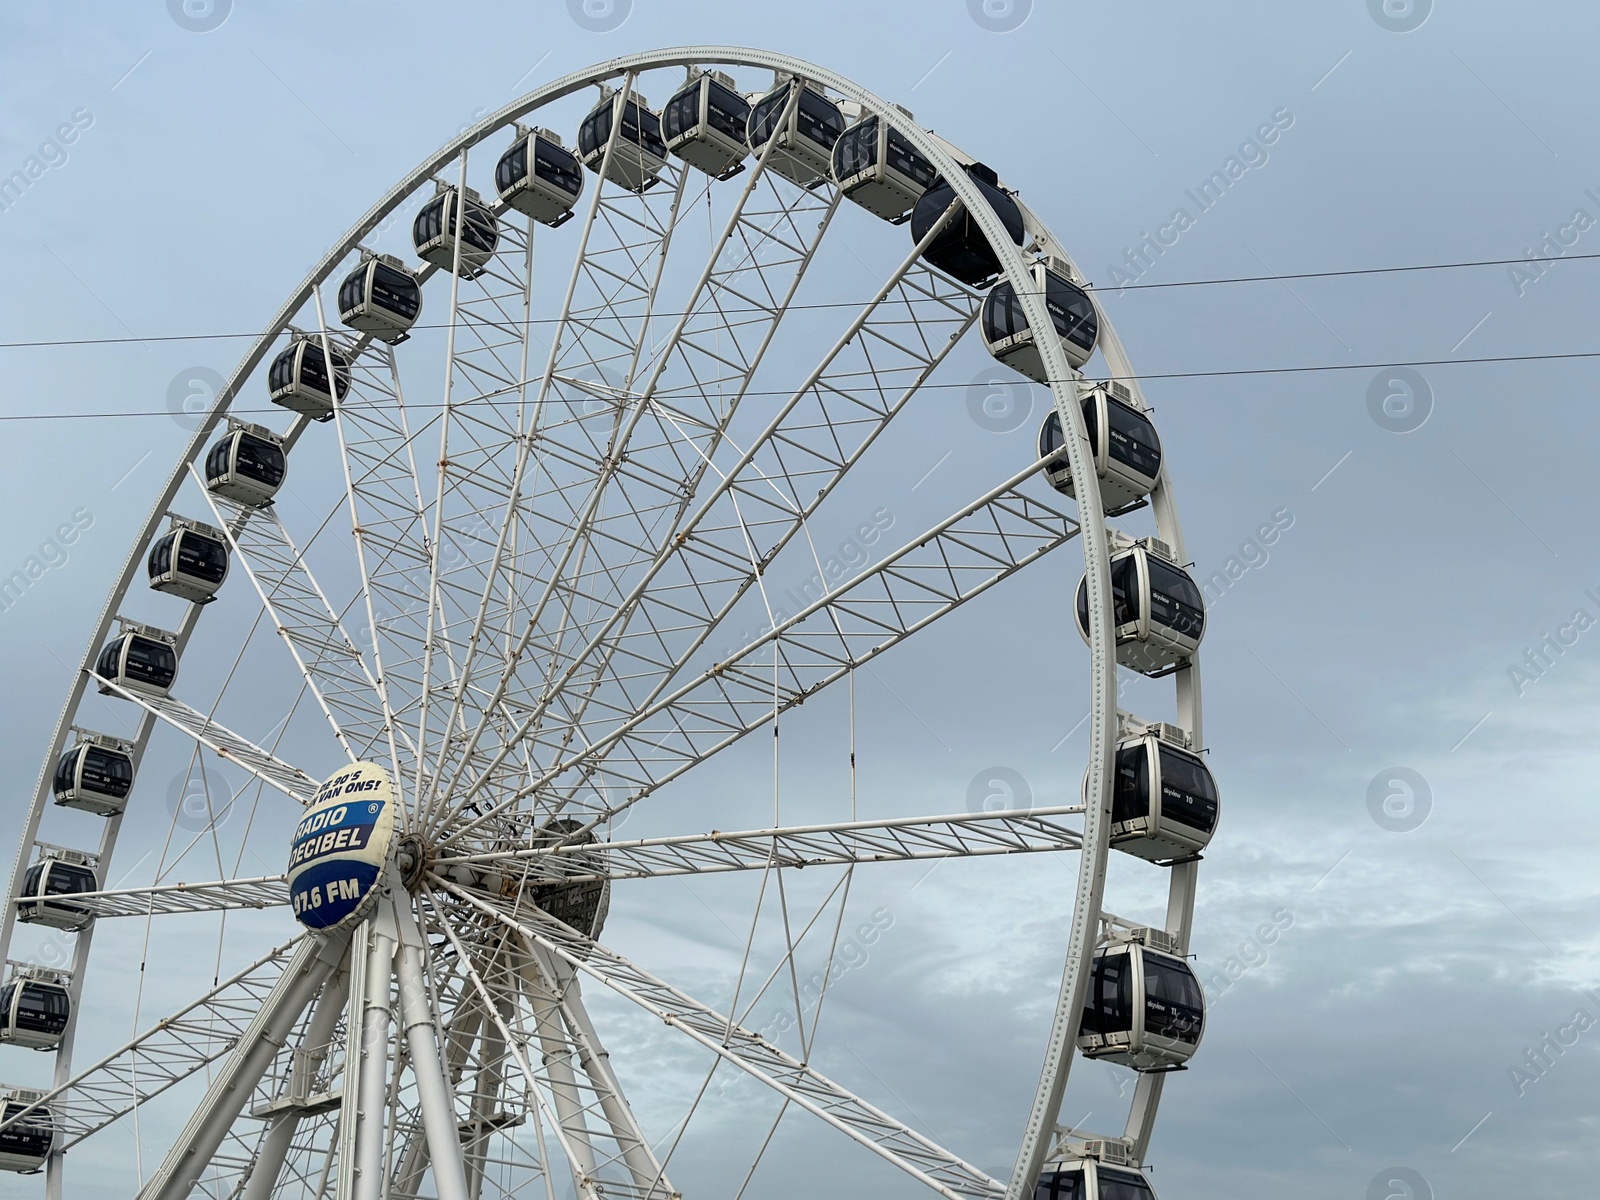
1014	263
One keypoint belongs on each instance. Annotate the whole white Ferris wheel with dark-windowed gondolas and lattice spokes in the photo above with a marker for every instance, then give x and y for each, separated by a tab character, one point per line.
500	574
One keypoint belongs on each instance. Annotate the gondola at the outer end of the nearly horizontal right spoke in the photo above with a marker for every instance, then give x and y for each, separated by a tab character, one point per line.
1164	798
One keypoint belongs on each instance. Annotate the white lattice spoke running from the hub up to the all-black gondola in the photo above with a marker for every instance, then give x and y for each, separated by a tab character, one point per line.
703	567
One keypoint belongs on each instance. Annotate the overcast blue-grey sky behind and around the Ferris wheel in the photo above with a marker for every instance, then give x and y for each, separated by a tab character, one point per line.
1385	636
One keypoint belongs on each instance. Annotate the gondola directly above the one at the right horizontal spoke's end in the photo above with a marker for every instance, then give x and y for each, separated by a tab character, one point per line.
1158	610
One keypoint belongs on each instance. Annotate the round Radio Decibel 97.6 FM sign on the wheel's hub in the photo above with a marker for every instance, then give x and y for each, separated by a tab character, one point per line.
340	847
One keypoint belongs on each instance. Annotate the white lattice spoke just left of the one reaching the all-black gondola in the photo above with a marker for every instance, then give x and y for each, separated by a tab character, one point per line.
628	494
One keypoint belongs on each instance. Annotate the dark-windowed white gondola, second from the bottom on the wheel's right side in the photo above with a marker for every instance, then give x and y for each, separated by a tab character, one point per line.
1145	1009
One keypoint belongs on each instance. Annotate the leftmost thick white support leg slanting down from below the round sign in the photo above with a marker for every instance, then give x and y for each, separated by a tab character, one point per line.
231	1089
